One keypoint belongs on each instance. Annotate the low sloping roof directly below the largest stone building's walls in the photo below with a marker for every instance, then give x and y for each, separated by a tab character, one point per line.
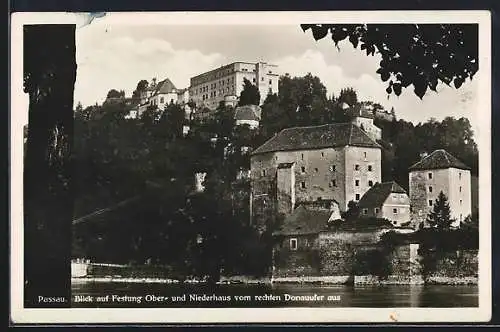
304	221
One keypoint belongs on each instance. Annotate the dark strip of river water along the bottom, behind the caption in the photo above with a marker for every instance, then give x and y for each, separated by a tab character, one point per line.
109	294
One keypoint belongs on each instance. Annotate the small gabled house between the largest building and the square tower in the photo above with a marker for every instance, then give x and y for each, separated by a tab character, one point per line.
386	200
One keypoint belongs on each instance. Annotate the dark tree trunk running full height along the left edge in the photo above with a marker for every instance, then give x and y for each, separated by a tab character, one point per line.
49	78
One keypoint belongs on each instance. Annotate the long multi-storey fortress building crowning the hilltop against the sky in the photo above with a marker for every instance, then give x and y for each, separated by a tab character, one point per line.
210	88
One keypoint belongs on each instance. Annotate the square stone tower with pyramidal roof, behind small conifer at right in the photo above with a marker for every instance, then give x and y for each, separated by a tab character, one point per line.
436	172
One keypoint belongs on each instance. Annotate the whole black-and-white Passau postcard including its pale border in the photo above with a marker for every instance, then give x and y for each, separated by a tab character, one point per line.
251	167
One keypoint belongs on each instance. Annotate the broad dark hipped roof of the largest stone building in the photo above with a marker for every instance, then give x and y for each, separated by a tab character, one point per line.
316	137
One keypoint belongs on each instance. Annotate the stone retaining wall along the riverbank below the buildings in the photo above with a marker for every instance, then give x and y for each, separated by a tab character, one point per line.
335	254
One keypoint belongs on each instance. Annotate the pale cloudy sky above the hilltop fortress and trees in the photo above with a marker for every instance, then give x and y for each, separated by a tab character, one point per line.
117	56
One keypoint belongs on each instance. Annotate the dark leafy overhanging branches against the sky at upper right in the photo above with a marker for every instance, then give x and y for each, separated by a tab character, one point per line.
418	54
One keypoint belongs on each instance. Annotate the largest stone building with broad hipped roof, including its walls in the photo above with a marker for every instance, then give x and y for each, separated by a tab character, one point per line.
337	162
